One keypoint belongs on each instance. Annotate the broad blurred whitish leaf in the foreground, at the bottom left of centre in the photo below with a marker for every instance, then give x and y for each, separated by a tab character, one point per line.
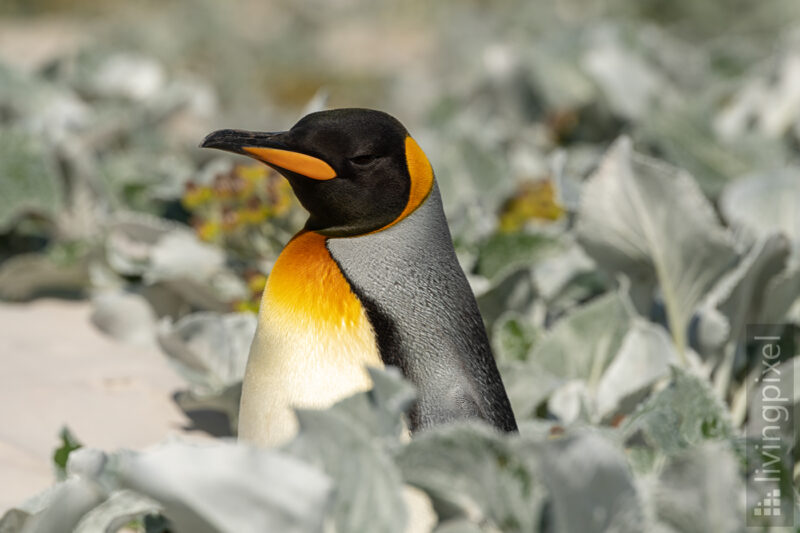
226	487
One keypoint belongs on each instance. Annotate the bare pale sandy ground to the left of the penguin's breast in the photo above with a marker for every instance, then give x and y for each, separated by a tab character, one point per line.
56	369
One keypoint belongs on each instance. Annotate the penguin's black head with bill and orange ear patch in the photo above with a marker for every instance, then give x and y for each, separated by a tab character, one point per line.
355	171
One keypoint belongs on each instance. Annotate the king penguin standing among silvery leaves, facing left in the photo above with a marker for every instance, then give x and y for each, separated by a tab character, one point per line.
371	280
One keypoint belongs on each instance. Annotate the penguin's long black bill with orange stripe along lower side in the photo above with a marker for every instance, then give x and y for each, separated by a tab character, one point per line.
269	148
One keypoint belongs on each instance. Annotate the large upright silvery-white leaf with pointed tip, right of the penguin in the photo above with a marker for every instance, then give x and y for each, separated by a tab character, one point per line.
649	220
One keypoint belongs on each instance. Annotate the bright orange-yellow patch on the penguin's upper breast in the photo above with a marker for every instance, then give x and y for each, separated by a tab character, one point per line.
306	282
